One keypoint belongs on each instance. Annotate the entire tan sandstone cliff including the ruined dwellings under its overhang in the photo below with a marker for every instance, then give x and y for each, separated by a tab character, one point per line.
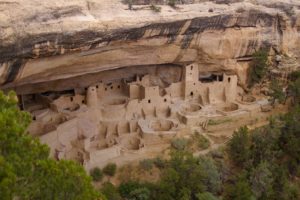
105	83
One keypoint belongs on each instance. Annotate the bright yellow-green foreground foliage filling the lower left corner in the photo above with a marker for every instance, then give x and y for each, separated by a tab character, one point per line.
26	172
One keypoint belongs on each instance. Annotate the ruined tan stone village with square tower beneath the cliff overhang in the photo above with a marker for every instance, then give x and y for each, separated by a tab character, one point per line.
112	119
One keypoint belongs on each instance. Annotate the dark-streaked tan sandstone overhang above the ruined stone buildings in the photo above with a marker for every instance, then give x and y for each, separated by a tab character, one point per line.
57	45
